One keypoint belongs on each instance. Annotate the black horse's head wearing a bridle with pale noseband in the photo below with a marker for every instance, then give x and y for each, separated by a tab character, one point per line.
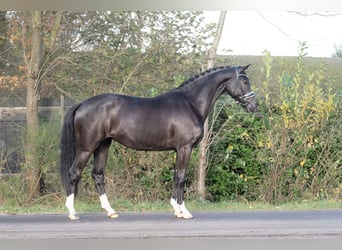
238	86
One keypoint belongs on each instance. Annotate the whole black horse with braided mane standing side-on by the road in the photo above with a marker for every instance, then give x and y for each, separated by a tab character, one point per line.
171	121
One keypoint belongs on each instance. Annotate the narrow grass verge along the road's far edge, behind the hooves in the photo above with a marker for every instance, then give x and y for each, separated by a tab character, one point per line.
198	206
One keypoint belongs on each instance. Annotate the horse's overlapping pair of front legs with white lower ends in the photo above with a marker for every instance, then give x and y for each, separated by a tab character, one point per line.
177	198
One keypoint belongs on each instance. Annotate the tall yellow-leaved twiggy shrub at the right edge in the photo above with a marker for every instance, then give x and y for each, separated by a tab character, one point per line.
300	127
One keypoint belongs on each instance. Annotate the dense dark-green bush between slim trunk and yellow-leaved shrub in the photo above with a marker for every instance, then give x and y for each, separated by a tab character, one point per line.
233	171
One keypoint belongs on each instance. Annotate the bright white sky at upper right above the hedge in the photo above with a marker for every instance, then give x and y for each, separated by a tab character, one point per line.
252	32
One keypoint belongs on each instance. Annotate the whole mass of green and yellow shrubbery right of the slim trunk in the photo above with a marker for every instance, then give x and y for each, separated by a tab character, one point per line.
292	151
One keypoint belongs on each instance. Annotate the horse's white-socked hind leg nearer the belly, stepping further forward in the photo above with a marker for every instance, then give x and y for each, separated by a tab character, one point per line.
100	160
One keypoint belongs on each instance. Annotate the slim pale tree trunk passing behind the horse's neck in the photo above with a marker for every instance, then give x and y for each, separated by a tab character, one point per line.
202	165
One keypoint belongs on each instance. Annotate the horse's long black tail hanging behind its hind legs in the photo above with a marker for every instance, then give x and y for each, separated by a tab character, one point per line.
67	147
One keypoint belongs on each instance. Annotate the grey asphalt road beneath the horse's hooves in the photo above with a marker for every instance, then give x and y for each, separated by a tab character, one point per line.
325	224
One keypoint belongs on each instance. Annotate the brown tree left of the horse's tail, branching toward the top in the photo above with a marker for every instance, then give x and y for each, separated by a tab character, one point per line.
38	36
